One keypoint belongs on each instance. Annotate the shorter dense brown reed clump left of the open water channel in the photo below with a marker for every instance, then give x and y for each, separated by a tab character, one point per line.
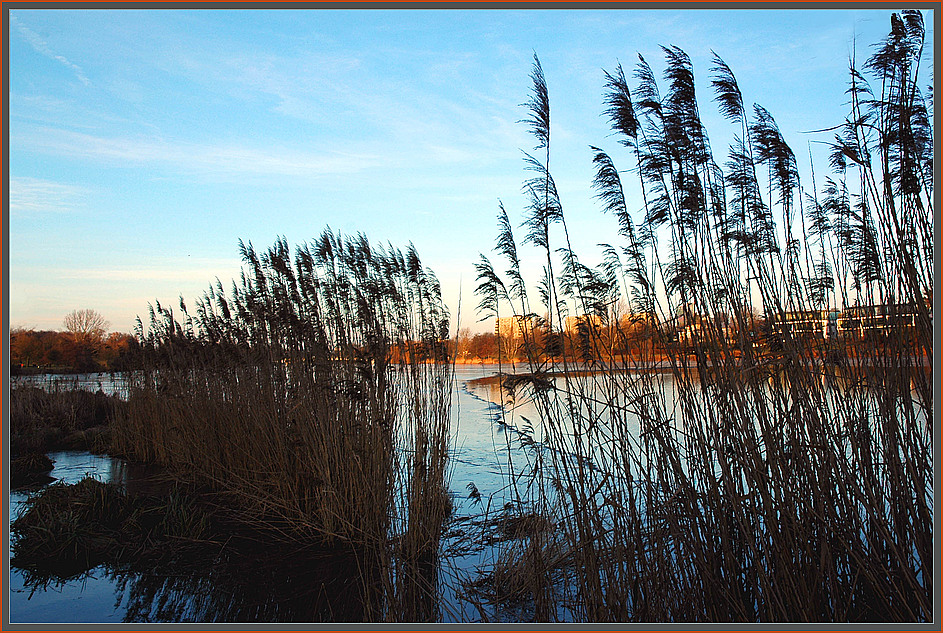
305	394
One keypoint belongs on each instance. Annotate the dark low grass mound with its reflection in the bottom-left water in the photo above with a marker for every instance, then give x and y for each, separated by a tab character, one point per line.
179	556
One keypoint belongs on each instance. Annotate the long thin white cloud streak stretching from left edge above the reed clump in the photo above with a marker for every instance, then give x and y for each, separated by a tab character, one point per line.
189	157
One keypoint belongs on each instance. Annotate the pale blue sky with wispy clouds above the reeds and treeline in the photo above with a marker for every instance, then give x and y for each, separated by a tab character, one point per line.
144	144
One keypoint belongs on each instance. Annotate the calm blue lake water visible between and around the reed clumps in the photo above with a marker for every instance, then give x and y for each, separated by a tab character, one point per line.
490	443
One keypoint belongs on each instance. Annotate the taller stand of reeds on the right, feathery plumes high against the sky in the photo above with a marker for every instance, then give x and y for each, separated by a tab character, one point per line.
781	477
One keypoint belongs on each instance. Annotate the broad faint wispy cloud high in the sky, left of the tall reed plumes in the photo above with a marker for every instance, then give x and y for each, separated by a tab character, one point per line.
337	93
